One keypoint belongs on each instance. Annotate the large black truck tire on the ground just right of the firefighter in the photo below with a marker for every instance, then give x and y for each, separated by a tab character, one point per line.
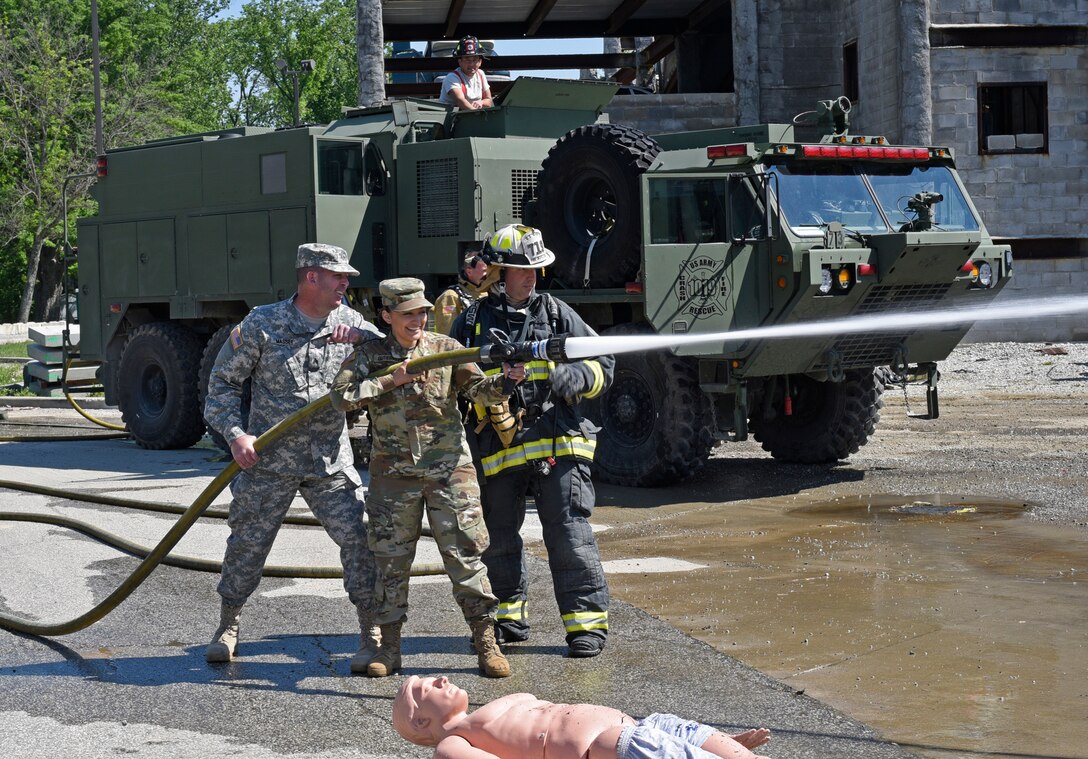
656	420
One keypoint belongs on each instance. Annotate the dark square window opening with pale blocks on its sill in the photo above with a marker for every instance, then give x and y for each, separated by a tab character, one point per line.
1012	118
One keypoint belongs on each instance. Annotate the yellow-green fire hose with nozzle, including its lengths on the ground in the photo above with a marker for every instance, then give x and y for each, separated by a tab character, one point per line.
501	351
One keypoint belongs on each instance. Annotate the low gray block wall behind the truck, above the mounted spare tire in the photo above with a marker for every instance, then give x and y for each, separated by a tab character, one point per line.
658	115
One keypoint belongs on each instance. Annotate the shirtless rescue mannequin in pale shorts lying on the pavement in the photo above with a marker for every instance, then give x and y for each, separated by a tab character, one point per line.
432	712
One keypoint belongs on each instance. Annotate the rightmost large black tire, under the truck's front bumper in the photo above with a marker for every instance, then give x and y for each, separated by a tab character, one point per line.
830	420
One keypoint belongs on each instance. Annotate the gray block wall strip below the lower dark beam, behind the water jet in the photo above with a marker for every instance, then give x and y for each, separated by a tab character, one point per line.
1033	280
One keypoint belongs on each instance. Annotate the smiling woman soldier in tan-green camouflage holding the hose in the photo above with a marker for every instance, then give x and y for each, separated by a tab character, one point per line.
422	461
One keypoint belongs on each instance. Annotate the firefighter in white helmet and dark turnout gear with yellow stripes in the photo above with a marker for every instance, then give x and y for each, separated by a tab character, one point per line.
538	445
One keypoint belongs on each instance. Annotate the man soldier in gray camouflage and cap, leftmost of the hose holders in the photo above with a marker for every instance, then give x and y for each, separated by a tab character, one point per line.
291	353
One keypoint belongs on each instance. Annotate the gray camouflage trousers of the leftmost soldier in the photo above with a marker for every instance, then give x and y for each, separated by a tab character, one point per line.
261	504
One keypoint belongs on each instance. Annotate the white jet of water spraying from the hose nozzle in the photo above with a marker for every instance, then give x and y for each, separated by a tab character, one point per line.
585	347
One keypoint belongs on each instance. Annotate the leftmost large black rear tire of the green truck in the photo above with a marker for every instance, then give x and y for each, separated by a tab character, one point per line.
157	389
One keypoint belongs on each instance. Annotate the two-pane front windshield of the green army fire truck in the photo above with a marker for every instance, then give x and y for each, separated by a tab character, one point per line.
811	196
